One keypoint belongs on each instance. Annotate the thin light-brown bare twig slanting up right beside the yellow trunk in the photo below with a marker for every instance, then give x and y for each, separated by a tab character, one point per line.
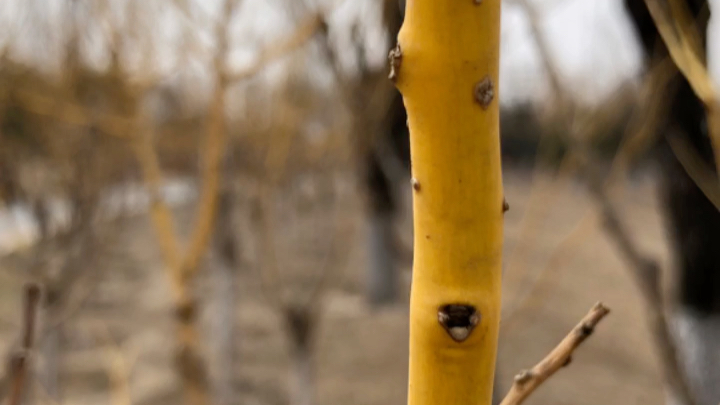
528	380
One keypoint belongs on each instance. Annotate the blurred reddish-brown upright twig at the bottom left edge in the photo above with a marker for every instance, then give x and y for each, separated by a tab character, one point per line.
19	360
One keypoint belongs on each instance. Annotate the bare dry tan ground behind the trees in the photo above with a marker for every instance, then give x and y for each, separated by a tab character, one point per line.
555	269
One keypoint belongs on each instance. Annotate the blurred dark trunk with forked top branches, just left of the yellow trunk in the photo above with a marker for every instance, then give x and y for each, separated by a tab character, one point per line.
376	110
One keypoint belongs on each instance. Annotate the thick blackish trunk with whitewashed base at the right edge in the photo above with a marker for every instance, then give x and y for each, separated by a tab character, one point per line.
692	221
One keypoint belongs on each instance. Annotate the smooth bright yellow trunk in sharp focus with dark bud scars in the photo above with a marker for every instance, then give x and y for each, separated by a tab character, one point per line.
446	67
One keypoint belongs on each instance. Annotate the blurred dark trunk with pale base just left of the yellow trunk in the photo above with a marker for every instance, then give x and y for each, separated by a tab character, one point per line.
382	135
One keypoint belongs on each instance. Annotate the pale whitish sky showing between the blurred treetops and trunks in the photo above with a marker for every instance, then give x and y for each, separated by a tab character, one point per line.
591	40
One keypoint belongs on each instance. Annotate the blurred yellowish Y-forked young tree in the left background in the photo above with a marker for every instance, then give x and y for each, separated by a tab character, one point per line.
182	267
